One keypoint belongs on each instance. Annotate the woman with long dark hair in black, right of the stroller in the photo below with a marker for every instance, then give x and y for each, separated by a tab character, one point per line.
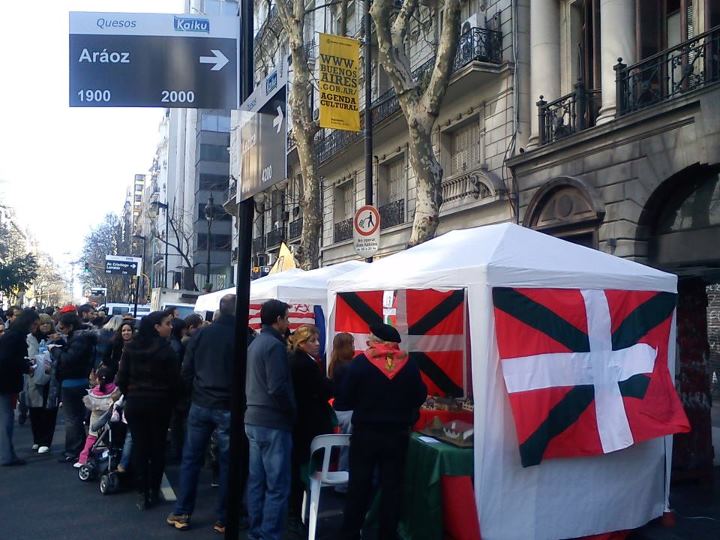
149	377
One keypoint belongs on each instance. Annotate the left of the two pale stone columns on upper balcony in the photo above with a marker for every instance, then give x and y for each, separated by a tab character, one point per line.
544	57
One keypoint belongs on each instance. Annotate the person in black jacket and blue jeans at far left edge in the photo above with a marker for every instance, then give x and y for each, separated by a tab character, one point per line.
14	363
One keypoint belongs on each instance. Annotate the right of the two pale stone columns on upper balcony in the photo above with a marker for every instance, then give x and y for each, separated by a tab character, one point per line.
617	38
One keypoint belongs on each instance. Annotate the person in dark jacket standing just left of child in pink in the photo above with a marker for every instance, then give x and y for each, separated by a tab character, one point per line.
74	355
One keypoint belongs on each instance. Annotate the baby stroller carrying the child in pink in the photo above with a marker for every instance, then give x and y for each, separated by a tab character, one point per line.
106	451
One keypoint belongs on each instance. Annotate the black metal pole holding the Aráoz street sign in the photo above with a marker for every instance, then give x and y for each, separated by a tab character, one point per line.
238	468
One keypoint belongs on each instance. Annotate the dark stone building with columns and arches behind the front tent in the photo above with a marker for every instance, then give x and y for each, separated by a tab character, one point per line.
624	156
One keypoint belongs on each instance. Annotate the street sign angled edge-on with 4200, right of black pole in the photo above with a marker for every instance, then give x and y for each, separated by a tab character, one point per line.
263	137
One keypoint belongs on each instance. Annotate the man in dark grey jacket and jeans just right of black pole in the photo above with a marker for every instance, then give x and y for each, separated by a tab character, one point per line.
269	421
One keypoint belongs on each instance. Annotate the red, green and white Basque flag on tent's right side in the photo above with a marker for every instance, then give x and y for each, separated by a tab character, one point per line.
586	370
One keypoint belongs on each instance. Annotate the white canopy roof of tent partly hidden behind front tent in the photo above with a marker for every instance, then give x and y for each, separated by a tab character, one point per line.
292	286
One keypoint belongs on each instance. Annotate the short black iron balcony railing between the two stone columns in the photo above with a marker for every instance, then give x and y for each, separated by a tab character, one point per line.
568	114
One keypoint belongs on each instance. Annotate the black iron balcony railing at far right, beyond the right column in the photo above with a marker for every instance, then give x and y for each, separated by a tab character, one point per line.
669	74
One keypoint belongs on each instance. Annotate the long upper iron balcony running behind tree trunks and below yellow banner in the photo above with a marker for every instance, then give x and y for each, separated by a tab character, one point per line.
475	45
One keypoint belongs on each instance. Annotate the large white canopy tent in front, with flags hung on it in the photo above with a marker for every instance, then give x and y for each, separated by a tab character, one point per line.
560	498
